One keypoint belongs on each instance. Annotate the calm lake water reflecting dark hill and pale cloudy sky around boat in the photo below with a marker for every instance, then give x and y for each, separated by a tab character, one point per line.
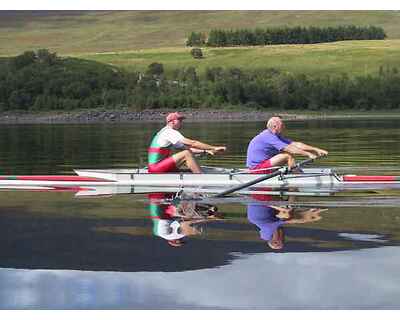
58	251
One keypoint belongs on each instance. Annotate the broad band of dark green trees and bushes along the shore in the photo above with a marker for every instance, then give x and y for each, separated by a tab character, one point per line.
42	81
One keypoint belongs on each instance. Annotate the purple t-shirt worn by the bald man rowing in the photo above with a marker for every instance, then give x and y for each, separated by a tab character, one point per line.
264	146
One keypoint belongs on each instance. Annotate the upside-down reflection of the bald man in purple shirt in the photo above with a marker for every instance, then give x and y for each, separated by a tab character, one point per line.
270	221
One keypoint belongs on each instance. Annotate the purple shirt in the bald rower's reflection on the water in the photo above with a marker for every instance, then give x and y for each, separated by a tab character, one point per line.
264	218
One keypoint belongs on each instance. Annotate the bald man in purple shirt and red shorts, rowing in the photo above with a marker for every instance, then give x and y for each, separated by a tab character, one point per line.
269	148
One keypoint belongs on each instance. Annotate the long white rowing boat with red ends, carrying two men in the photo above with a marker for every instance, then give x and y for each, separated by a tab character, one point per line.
212	180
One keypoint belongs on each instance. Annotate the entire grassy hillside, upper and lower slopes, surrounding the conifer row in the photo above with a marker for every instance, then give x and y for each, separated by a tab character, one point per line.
134	39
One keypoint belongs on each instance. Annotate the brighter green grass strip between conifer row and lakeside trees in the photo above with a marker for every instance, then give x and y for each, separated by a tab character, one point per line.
355	57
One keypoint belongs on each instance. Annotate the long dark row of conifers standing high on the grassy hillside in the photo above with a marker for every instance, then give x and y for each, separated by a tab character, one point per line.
283	35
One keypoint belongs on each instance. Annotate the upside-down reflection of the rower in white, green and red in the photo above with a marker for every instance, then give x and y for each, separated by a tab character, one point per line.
174	220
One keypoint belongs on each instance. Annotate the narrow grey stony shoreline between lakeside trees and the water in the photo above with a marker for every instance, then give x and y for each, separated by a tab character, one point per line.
152	115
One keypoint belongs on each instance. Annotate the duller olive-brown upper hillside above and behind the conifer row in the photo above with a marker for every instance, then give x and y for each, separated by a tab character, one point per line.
88	31
